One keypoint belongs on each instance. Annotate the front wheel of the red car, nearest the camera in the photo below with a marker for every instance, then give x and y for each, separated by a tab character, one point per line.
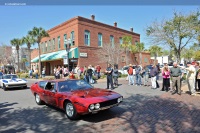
70	111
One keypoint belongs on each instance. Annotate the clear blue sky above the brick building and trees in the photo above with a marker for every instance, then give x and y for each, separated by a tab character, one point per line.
16	21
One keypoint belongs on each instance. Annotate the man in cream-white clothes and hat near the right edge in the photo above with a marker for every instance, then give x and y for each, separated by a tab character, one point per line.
191	75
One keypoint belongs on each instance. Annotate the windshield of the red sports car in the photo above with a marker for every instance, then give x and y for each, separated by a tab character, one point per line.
72	85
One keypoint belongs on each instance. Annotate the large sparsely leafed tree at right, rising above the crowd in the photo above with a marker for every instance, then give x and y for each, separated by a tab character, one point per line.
177	32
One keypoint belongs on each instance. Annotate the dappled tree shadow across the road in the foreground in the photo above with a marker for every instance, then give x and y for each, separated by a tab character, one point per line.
137	113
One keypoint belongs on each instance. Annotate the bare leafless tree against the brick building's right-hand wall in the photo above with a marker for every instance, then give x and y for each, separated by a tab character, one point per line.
110	53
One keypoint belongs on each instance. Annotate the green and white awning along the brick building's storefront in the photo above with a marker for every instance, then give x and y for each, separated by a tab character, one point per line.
73	53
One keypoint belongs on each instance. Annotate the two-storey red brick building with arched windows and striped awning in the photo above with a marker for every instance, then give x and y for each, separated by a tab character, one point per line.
87	37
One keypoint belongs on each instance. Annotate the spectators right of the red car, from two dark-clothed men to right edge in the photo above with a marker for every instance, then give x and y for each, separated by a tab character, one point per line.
175	74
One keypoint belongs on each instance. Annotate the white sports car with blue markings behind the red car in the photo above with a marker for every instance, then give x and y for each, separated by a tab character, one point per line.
12	81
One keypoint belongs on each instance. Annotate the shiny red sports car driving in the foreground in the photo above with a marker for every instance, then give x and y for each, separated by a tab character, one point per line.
76	97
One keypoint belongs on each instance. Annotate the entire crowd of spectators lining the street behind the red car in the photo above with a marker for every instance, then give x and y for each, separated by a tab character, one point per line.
136	76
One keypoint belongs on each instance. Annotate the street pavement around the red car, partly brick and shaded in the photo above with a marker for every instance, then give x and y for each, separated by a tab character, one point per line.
143	110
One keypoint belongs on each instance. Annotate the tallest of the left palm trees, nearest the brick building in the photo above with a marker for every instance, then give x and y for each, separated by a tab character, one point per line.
38	34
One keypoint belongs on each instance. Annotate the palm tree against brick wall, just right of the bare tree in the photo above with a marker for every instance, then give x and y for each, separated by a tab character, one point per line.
127	40
